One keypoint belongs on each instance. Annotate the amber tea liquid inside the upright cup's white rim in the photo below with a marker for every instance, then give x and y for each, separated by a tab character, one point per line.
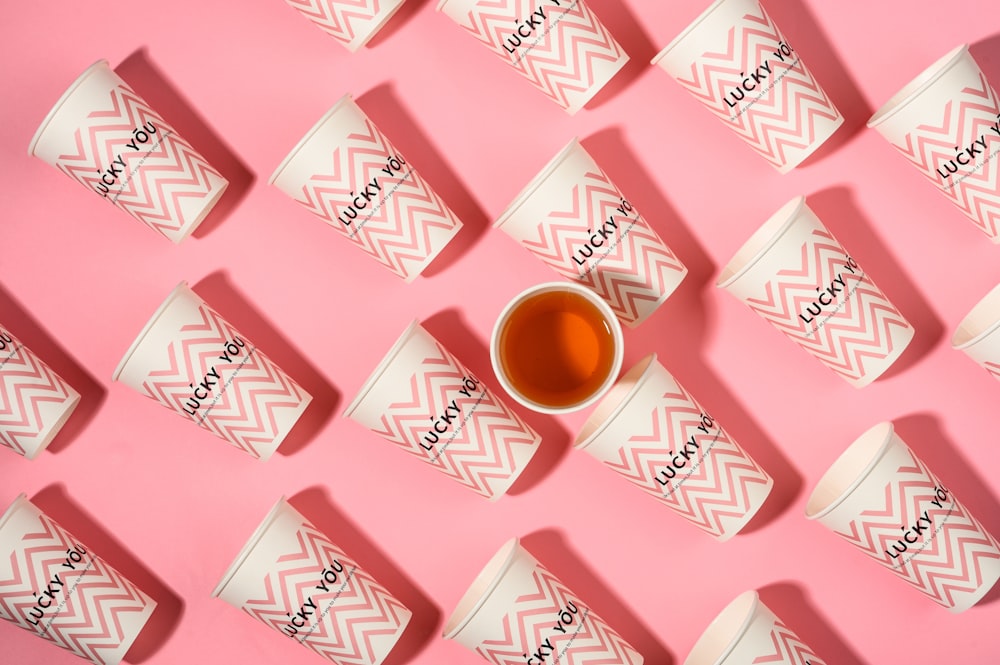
556	348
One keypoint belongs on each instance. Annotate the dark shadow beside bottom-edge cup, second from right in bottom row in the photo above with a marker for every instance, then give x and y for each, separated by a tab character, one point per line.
550	548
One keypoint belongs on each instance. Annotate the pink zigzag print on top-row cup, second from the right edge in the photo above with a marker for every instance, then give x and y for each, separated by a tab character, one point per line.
783	119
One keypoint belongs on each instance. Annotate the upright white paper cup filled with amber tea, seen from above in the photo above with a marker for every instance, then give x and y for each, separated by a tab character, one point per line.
556	347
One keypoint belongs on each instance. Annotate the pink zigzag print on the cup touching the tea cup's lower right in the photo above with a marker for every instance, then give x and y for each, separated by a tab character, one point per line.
714	487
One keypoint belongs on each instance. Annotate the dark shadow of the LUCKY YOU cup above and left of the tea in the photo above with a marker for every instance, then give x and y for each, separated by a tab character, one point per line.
388	112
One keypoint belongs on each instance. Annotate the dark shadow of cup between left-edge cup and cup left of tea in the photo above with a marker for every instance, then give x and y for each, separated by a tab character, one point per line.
222	296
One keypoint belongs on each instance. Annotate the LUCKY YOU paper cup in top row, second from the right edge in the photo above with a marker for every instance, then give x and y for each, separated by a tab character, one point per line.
736	62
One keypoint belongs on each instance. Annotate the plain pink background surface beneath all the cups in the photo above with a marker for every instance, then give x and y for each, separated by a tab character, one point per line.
171	505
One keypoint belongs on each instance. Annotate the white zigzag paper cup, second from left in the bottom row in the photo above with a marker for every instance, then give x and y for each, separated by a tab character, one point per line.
292	578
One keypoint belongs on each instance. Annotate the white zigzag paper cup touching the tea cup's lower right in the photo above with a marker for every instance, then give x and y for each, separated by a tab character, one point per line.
652	432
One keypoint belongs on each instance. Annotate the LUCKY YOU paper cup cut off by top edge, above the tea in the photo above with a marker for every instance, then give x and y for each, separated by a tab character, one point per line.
560	46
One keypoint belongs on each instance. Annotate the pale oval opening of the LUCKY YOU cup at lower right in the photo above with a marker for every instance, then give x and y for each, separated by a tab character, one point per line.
849	471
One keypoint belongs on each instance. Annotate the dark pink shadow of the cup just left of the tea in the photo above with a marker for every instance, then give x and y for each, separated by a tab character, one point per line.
450	329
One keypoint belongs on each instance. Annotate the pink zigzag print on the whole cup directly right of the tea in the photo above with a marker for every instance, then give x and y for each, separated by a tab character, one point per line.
846	338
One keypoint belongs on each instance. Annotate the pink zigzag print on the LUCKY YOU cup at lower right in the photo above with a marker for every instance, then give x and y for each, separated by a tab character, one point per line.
947	560
